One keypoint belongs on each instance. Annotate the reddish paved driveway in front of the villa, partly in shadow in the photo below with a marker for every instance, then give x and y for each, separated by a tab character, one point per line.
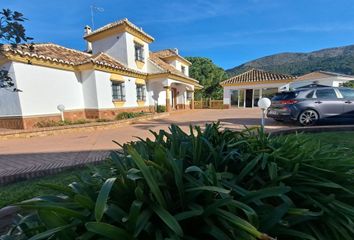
23	158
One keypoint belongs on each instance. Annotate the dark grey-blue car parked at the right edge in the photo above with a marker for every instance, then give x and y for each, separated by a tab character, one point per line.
307	106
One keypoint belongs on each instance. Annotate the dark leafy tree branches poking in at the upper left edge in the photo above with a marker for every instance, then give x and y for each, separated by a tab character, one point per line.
11	32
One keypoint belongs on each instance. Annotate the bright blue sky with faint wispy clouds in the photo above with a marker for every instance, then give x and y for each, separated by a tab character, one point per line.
230	32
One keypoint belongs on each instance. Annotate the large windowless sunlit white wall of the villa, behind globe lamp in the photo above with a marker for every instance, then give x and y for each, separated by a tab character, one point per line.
45	88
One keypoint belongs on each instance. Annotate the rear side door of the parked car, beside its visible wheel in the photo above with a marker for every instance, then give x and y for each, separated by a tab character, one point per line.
327	103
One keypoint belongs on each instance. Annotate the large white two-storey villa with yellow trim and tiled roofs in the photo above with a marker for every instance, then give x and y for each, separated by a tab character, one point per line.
117	73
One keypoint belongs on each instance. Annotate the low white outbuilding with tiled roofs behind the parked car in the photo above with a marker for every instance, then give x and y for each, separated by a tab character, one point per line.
246	89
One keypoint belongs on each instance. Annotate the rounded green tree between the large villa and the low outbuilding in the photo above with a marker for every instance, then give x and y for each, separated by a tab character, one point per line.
209	76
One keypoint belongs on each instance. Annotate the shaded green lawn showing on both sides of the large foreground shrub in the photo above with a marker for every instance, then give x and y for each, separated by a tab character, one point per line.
27	189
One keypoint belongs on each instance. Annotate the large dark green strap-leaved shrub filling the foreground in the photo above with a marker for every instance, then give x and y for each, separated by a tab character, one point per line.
208	184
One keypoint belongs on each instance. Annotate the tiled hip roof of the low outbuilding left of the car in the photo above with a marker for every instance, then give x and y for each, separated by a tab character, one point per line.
256	76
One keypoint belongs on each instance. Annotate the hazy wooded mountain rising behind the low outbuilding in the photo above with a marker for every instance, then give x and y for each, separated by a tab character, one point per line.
339	59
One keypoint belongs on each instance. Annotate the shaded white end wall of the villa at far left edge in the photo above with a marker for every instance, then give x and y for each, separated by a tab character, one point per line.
9	100
